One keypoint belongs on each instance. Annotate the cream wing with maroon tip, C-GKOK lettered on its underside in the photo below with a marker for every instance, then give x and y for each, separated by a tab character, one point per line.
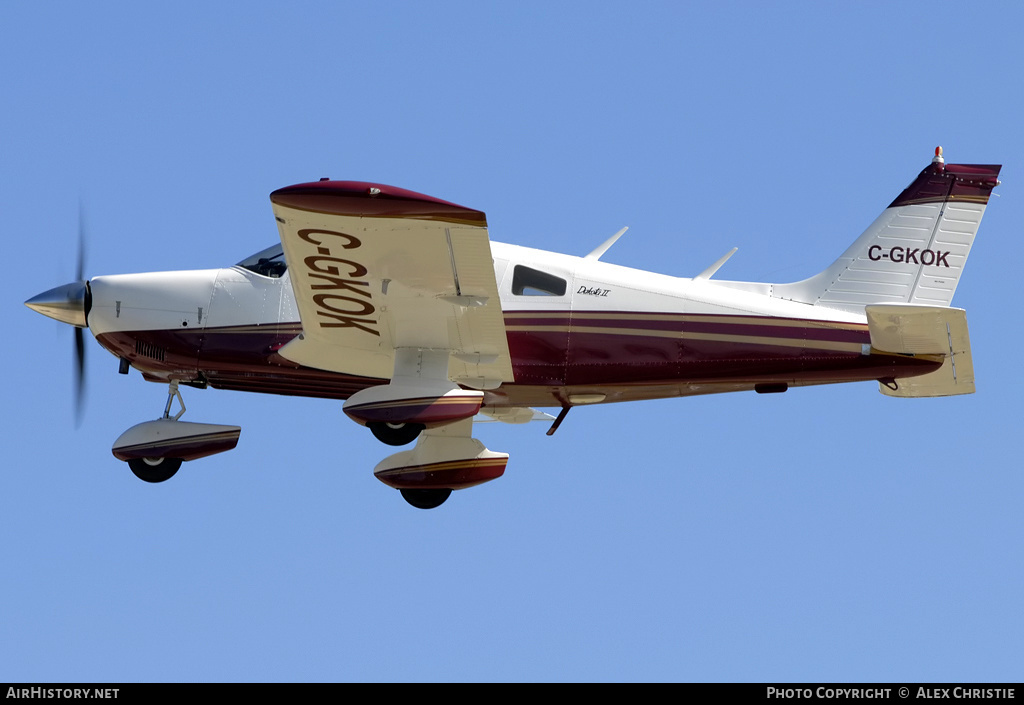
376	269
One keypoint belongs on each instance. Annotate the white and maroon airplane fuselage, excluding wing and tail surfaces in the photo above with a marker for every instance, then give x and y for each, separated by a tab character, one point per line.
616	331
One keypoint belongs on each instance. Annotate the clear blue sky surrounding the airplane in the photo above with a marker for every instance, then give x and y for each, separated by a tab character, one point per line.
827	534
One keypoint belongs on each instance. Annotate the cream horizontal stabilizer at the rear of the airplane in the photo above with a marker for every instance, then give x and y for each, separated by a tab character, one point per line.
909	329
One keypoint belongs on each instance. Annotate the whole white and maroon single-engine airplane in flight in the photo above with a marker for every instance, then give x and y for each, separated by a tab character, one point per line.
400	305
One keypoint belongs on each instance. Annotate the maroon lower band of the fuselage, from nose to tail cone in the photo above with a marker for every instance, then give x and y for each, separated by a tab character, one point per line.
592	349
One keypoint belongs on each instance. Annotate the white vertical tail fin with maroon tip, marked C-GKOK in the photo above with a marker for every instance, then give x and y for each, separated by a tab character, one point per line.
916	252
